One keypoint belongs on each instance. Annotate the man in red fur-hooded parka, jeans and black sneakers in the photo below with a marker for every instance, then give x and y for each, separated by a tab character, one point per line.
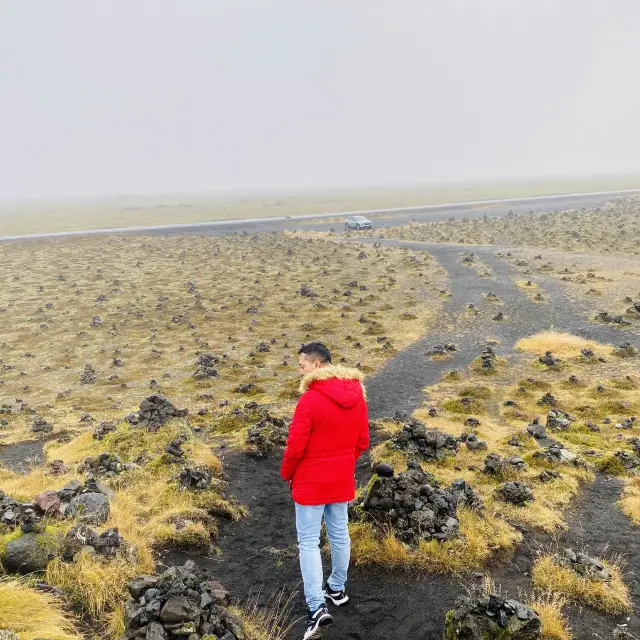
328	433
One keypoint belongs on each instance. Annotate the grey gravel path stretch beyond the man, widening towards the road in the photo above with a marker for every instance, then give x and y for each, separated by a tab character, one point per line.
410	371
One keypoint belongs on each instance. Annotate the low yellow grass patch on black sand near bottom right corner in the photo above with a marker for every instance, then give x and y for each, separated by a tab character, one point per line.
610	597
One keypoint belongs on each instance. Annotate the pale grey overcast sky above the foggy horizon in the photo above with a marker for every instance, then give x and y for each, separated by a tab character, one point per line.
134	96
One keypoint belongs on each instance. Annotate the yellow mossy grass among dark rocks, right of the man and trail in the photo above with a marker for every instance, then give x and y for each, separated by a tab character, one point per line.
521	384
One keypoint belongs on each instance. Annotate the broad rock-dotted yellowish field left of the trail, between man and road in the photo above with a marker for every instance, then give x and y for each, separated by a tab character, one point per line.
139	312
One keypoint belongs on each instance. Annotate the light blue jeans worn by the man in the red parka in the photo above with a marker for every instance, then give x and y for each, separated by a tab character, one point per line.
308	525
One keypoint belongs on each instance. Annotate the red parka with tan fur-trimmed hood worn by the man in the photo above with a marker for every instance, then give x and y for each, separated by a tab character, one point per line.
329	431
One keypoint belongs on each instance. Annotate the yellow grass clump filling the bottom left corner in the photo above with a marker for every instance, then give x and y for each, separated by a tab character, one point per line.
32	614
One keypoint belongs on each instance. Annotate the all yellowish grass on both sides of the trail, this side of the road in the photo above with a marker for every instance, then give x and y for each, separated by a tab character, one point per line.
91	326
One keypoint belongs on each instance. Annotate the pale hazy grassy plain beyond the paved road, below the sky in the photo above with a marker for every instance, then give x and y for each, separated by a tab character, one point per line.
39	216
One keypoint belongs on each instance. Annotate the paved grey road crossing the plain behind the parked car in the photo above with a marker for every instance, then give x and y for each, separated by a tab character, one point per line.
392	217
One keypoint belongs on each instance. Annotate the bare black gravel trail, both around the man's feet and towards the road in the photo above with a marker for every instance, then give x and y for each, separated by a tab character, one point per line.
258	554
